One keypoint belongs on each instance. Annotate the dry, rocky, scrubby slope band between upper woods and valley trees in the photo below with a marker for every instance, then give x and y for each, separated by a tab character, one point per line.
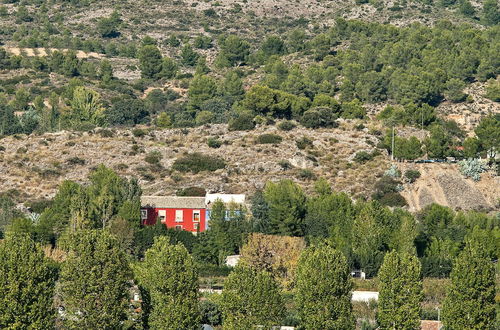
32	167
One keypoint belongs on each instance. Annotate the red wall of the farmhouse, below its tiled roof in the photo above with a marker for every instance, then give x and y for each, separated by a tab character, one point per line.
187	223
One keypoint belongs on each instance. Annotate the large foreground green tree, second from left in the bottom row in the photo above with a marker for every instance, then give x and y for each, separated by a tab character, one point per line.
94	281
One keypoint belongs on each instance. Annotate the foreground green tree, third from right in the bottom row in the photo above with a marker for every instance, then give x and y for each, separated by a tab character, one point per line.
324	289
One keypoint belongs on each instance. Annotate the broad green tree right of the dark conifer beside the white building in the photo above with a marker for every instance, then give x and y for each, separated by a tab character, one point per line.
287	206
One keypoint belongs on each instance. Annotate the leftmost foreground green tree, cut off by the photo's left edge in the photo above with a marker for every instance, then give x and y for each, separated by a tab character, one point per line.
27	280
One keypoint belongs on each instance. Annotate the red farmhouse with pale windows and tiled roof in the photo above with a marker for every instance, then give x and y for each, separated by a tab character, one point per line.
186	213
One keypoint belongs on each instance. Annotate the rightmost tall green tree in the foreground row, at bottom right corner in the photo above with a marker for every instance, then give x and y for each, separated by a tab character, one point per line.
470	302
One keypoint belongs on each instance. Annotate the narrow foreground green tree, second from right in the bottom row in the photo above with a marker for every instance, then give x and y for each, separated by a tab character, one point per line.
400	292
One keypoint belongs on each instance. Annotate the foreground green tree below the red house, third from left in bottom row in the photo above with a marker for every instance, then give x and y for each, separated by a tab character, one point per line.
168	275
